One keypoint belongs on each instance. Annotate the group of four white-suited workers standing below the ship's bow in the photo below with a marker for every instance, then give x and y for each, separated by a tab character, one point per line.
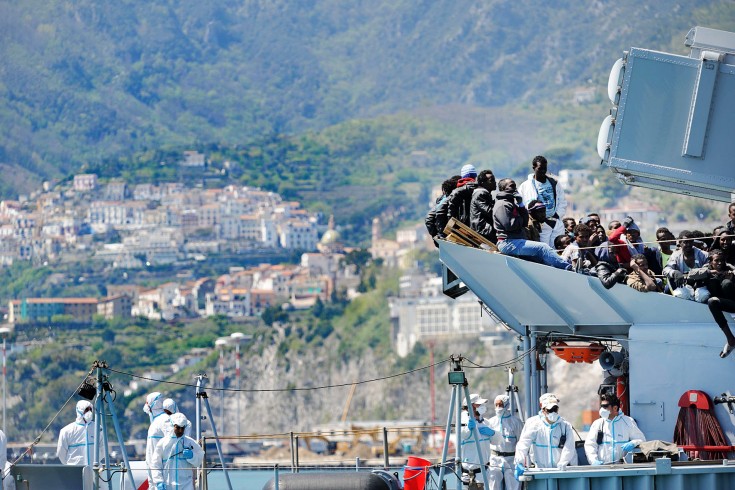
507	446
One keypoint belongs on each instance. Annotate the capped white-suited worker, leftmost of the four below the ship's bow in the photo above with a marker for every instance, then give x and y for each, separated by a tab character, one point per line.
473	427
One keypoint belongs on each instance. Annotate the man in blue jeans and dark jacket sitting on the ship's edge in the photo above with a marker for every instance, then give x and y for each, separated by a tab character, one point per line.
510	218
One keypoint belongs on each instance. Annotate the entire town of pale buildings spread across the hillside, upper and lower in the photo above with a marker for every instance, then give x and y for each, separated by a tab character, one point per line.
123	228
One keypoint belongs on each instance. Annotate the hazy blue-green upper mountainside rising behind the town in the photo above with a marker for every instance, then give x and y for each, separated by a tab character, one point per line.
83	82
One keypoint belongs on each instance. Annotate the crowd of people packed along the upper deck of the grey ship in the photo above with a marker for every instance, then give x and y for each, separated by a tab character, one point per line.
529	222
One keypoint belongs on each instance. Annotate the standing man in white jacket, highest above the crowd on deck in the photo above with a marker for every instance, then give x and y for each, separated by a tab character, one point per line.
547	190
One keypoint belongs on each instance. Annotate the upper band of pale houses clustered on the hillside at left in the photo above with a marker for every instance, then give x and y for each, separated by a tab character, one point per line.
155	223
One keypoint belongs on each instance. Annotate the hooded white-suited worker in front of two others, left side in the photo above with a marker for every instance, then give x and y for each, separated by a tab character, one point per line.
176	458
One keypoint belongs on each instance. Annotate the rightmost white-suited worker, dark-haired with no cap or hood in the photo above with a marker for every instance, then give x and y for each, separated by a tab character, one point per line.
613	435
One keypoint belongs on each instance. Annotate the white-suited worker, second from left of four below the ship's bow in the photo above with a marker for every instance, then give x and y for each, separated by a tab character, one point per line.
508	430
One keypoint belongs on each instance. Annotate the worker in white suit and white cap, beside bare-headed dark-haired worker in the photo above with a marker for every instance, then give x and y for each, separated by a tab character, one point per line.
551	437
